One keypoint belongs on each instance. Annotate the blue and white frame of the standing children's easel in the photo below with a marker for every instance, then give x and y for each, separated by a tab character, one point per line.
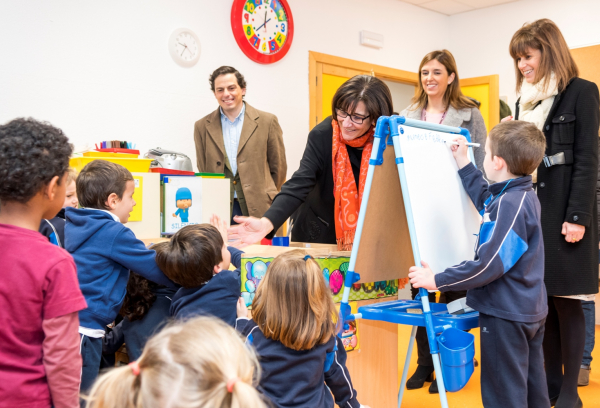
387	130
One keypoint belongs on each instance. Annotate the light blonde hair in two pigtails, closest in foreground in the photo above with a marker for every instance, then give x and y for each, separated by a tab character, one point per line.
186	365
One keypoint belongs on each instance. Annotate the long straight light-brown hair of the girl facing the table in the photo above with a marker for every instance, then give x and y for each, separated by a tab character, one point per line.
293	303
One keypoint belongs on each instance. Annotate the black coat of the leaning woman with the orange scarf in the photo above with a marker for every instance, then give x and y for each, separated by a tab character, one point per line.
310	190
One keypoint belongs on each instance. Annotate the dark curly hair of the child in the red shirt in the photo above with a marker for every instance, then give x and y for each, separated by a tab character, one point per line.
32	153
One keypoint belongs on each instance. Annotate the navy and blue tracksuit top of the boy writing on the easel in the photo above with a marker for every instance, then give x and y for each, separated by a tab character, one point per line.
506	278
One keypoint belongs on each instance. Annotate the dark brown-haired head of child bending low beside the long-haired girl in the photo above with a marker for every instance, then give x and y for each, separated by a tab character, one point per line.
193	255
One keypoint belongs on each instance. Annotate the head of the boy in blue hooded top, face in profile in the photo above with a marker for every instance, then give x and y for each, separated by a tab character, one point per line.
108	186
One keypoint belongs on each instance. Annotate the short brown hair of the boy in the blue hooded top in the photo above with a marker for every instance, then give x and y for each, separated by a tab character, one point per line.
98	180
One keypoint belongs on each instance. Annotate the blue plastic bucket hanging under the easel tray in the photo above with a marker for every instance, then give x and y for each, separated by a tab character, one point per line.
457	350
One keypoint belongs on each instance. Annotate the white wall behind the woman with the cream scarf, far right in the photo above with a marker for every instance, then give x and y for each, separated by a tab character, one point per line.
480	38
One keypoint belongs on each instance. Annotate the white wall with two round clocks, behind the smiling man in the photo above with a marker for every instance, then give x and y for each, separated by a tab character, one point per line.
101	70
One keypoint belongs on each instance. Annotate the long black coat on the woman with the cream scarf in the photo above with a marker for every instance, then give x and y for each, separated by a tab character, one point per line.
567	192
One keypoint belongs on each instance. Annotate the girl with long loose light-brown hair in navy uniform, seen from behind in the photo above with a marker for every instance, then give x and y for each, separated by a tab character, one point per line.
293	329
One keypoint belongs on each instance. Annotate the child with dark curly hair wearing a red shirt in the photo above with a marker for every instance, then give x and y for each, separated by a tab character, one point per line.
40	365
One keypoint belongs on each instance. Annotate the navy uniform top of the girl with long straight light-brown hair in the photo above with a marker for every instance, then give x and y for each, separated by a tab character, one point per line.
301	378
